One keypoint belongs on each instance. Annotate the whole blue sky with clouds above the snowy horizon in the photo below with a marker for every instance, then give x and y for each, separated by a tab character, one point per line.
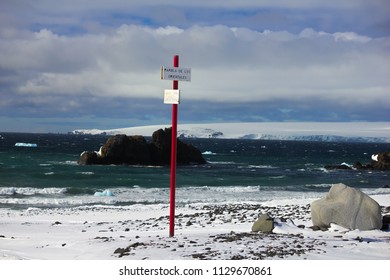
76	64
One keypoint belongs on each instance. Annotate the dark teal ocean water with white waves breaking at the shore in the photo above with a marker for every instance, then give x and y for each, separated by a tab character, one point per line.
237	171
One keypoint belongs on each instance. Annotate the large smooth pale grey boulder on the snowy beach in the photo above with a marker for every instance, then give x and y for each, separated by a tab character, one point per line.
347	207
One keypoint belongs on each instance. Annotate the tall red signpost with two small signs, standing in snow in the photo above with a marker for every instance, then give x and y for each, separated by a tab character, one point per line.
172	97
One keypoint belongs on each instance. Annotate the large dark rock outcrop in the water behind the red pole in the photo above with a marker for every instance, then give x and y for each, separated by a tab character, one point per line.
134	150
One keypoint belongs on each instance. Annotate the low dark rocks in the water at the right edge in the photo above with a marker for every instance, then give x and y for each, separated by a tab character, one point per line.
380	161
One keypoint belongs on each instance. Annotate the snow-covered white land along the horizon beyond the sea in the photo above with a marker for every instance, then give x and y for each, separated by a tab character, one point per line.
305	131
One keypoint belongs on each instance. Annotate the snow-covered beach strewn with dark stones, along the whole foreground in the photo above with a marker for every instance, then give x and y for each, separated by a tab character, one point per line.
202	232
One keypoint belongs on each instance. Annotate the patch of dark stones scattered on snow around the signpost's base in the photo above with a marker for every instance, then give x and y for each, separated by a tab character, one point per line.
273	245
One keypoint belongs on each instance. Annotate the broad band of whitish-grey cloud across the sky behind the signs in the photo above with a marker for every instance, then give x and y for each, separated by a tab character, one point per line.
230	64
